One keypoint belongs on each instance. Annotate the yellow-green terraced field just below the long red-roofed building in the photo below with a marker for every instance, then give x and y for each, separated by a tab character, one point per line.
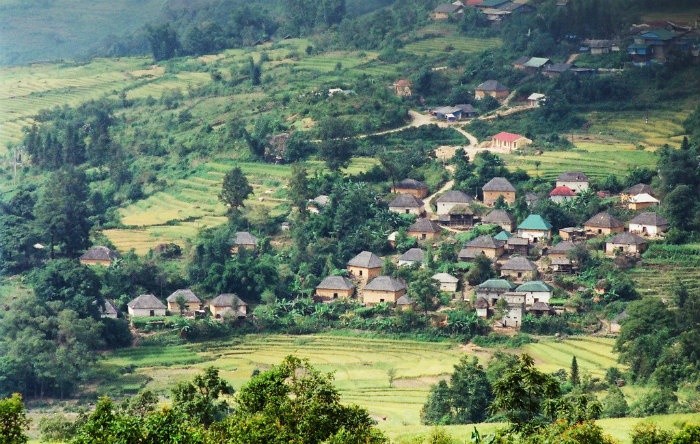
595	158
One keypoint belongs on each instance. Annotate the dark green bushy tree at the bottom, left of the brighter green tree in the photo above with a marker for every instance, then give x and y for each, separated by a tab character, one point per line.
464	400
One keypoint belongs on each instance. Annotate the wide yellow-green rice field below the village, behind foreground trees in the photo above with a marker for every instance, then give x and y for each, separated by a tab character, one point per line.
359	363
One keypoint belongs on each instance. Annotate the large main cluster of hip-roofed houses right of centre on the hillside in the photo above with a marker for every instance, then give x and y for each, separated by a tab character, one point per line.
521	253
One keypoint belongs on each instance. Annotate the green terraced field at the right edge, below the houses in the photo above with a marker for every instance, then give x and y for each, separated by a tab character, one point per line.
664	266
